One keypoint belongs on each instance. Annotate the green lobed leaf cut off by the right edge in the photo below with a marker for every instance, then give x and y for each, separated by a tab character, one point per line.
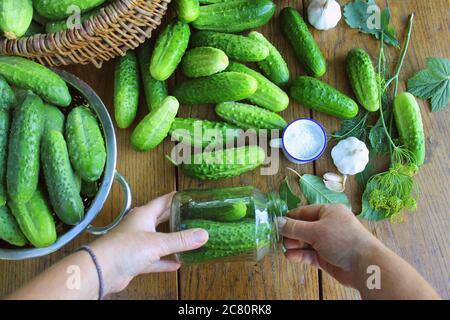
433	83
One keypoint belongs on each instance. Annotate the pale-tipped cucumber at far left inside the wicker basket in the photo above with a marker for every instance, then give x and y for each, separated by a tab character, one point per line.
15	17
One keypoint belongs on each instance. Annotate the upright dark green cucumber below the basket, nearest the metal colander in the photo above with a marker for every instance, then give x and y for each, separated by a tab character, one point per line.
126	90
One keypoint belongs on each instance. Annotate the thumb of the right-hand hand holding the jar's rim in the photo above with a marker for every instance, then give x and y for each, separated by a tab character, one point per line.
297	229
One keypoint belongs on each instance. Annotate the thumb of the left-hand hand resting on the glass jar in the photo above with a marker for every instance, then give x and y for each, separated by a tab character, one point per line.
185	240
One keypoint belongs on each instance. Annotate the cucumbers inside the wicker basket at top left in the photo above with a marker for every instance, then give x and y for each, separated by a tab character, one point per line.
25	18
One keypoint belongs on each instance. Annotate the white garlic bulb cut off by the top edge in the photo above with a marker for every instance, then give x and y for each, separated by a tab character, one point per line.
324	14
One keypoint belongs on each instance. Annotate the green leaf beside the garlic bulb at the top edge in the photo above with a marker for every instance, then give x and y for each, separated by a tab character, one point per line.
362	15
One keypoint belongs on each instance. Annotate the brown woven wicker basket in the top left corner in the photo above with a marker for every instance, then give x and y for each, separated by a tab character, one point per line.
120	26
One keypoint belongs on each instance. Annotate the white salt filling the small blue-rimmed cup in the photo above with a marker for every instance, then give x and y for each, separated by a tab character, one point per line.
304	140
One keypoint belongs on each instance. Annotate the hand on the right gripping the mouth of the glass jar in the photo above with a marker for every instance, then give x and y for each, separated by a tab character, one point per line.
329	237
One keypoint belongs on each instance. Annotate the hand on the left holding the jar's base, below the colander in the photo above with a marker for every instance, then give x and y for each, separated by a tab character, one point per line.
134	247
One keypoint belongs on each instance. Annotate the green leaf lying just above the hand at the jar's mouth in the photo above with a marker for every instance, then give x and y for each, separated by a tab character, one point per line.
316	193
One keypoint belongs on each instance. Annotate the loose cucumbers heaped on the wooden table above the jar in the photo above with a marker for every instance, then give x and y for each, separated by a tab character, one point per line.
213	60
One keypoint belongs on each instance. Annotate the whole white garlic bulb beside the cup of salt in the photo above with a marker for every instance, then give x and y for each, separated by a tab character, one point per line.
350	156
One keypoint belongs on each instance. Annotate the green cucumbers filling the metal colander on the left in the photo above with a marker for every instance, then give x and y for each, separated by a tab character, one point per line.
50	163
